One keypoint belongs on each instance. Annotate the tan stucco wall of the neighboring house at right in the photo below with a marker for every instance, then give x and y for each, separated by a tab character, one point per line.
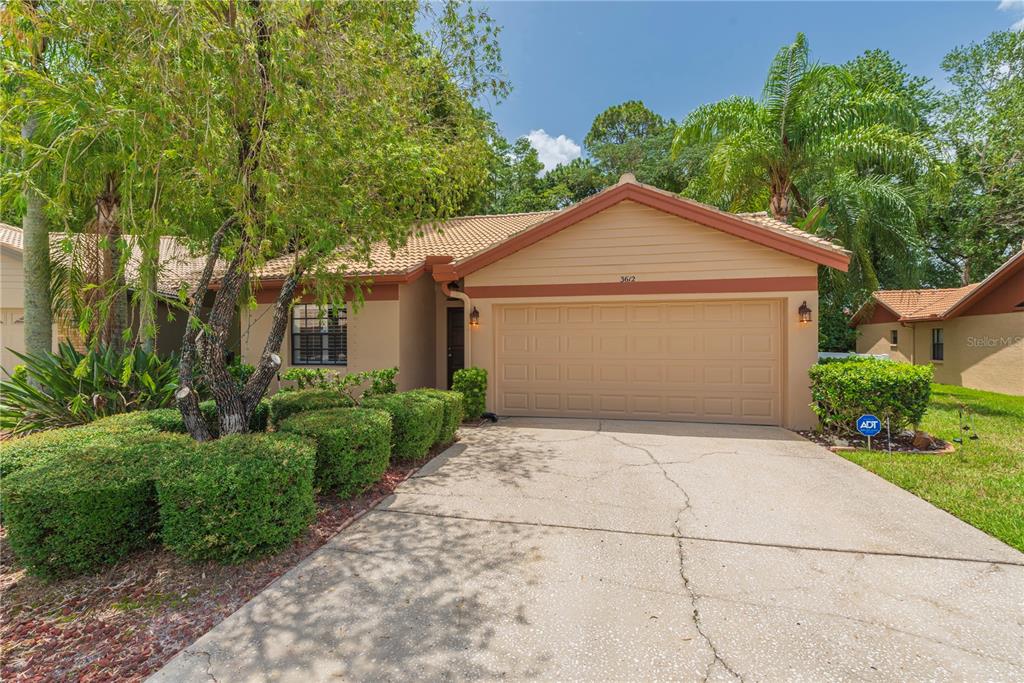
980	352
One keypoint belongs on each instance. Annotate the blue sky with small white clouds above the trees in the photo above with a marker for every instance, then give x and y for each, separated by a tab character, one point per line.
570	61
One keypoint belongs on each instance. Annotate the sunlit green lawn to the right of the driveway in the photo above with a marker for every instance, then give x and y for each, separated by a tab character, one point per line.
984	483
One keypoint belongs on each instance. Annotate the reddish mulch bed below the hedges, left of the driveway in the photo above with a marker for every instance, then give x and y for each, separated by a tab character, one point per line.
126	623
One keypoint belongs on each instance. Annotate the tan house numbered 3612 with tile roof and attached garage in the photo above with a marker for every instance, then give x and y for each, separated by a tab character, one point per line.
633	304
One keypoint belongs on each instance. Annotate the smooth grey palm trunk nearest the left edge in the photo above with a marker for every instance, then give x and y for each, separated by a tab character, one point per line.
38	313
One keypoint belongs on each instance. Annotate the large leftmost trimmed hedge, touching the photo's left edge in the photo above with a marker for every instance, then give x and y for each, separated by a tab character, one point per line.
89	501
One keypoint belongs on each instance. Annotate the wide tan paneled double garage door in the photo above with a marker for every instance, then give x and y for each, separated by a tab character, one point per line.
690	361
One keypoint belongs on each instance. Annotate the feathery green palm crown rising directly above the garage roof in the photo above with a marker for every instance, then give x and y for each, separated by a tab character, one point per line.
810	119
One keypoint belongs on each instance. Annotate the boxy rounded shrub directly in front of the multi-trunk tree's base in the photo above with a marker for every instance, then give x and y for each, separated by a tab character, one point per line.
238	497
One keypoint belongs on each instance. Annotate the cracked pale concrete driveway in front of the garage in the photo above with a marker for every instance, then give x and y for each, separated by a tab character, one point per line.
587	550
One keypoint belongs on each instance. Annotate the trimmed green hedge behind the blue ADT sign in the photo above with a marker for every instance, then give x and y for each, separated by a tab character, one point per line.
844	392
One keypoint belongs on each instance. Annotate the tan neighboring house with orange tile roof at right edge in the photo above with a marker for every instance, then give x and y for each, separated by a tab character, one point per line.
973	335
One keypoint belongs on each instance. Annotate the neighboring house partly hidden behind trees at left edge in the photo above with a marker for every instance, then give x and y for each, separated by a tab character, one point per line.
178	267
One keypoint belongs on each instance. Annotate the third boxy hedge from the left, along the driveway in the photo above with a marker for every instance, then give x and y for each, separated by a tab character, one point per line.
354	447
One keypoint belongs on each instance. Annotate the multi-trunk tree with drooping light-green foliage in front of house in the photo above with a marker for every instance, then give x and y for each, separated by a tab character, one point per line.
286	132
